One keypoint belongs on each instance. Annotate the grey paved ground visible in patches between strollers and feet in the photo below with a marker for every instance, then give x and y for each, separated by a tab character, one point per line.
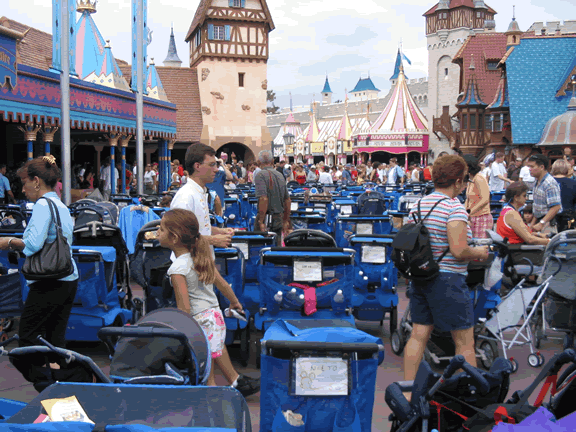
13	386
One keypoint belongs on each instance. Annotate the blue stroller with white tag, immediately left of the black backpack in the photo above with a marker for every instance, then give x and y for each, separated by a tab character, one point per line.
375	280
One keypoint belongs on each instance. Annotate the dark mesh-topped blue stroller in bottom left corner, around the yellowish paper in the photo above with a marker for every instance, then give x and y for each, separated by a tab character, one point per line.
208	408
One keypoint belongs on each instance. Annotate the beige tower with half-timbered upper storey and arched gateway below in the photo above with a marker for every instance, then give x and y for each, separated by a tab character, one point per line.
229	48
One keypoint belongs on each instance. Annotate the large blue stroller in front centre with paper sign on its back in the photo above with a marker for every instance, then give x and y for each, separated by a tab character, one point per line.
318	375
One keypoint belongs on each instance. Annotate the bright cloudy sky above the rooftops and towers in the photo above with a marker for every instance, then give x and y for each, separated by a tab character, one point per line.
344	39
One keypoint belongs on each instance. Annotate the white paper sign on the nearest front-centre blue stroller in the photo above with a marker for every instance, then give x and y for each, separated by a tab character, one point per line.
320	376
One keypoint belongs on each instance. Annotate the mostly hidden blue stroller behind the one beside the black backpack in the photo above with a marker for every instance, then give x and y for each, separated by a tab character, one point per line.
349	225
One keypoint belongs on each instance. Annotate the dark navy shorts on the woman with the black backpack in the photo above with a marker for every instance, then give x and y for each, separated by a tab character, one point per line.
443	302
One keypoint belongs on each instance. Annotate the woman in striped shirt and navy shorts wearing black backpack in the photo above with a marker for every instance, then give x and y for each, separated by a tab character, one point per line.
444	302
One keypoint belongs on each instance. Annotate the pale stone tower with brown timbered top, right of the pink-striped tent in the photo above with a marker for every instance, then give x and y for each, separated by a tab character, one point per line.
448	25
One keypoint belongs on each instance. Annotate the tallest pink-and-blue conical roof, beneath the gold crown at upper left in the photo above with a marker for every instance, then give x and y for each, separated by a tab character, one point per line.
90	46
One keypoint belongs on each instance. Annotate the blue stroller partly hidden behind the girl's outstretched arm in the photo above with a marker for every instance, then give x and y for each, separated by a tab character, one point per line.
230	263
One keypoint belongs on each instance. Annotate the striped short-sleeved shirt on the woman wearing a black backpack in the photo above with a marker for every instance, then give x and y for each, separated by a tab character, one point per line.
450	210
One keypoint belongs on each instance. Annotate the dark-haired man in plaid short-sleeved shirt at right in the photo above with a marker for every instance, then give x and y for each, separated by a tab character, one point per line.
547	202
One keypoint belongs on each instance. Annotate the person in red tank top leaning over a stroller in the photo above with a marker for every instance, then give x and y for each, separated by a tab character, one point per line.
510	224
